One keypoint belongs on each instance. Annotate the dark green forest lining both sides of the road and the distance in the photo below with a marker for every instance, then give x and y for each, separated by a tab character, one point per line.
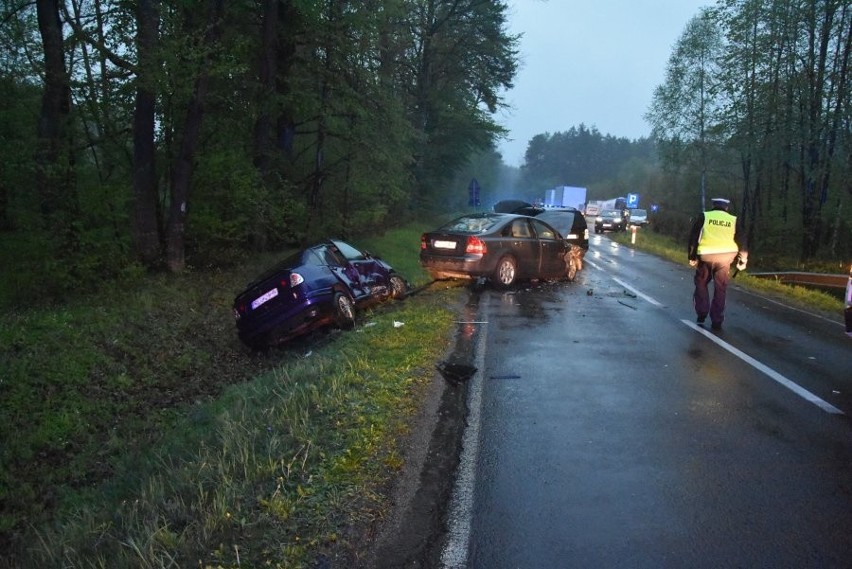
165	135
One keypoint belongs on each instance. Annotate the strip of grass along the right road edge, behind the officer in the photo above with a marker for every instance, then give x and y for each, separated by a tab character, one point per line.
675	251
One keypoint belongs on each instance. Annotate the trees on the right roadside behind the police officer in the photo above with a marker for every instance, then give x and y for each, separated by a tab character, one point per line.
757	102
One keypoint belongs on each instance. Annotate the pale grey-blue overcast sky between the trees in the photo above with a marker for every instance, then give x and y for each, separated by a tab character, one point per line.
590	62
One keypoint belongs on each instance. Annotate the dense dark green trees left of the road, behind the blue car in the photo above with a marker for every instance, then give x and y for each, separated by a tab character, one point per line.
164	132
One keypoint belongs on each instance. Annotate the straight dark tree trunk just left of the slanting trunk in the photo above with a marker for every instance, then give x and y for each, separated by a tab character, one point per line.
146	235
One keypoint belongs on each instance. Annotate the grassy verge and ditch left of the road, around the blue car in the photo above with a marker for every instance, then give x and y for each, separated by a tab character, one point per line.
138	432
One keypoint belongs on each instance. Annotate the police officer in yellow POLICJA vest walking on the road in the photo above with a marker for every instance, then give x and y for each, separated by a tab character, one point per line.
716	240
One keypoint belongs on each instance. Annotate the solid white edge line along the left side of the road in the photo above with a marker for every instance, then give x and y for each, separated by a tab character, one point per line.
460	521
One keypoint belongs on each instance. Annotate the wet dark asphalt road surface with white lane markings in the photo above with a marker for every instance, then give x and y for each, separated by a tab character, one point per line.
606	429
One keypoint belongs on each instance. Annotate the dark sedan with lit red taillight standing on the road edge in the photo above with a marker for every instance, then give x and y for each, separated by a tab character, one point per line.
503	248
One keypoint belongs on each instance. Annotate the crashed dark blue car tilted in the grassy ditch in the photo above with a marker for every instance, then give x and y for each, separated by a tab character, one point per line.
321	285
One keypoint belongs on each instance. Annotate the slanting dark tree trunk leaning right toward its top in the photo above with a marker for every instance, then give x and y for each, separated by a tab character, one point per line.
182	168
